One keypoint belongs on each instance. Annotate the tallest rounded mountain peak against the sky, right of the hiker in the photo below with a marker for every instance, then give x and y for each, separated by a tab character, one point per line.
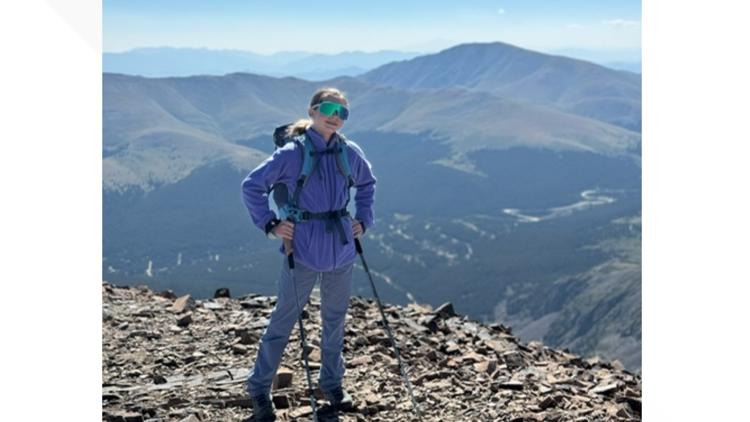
512	72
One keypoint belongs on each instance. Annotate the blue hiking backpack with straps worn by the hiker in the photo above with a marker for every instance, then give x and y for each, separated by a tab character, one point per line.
289	207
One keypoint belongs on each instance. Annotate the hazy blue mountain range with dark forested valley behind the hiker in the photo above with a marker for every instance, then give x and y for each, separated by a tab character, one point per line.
502	173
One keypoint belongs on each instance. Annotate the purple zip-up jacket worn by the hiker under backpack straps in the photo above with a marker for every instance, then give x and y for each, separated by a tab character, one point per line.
325	191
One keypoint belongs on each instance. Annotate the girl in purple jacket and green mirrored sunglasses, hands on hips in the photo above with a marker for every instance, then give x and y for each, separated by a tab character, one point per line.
323	245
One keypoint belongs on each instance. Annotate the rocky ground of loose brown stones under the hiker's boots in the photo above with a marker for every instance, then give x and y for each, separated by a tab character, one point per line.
178	359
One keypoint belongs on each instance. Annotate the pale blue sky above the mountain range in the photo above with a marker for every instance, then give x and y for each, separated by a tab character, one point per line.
331	27
